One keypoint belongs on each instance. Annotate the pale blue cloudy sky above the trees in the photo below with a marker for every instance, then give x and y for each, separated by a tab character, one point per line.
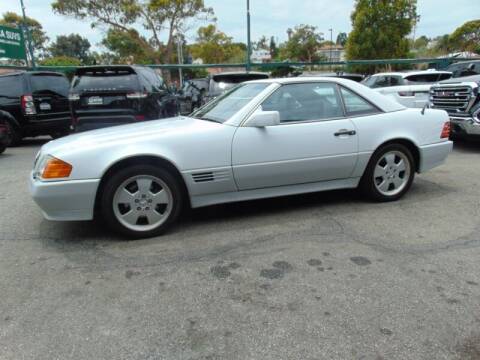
270	17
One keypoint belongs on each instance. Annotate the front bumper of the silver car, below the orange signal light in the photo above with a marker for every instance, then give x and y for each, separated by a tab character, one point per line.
68	200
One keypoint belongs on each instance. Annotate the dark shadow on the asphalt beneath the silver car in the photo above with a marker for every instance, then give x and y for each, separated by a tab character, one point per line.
87	234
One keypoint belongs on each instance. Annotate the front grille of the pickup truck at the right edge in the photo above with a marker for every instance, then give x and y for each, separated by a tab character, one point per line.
454	99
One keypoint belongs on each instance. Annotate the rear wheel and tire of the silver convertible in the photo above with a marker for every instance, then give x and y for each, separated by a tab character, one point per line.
395	179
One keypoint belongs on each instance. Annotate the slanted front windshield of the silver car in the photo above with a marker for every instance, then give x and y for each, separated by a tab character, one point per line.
224	107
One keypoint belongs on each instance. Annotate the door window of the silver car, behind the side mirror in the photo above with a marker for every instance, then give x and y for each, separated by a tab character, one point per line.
305	102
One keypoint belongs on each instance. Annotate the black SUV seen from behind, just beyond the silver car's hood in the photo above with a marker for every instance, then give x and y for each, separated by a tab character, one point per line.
102	96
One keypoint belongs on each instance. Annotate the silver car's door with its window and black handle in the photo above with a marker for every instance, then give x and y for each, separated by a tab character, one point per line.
314	141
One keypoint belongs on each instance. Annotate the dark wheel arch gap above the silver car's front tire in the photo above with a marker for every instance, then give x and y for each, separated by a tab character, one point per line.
138	160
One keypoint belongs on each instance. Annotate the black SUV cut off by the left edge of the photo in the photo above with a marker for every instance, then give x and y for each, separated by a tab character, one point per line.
34	103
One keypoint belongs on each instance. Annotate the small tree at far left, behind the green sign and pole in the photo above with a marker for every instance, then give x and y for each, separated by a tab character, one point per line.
39	37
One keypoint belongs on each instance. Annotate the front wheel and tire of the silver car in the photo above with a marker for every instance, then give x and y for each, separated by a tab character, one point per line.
129	201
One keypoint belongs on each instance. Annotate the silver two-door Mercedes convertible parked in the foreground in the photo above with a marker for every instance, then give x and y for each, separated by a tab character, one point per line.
264	138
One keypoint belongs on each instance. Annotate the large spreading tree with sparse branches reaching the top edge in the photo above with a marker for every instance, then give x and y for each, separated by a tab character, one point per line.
126	15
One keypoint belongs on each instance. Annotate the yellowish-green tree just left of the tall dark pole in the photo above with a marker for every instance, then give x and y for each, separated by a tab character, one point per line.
214	46
